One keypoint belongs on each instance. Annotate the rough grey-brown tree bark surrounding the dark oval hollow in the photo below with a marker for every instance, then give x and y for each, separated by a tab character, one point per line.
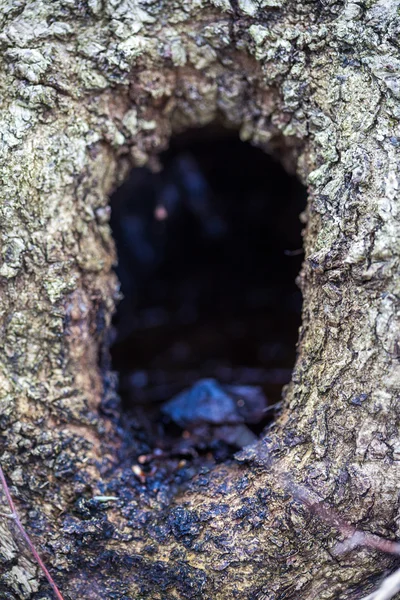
90	88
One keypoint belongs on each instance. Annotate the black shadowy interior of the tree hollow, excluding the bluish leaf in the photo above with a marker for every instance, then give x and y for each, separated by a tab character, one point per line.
209	249
